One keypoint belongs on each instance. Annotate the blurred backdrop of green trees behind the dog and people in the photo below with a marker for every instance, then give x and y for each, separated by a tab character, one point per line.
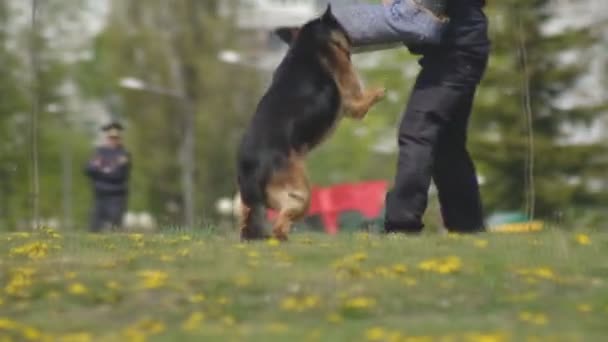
184	76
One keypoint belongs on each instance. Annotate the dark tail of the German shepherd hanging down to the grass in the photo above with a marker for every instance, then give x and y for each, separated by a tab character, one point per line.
253	196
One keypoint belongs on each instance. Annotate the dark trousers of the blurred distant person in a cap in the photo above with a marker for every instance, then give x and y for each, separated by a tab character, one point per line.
108	210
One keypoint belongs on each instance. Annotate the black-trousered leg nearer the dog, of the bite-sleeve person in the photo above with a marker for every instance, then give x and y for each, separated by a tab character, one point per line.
427	113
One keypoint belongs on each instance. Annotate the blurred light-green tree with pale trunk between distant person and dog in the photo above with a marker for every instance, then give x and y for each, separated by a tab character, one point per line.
191	108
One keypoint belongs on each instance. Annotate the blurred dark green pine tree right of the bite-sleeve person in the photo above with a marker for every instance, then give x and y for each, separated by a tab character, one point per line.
517	133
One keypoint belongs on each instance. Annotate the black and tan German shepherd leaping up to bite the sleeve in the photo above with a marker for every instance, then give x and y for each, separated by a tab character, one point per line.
312	89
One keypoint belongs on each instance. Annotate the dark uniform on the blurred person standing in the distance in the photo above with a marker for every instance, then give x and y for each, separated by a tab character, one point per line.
109	172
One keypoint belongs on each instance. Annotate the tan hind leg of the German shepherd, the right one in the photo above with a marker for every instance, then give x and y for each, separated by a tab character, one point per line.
289	194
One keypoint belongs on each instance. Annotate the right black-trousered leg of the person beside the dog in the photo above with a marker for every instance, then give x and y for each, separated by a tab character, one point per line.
454	172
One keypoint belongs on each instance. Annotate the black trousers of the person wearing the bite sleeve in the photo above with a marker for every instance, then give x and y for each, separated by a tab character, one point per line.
432	145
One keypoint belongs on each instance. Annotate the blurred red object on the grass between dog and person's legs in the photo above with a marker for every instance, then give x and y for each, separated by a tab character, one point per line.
365	197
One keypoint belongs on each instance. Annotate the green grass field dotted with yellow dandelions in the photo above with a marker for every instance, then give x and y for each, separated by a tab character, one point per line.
543	286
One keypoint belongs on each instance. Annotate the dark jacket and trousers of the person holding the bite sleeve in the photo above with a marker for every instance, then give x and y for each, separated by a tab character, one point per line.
433	133
